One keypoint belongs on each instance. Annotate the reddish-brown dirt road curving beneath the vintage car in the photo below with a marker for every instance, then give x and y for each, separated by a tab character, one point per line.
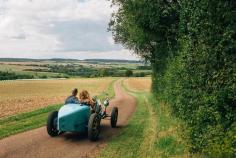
37	144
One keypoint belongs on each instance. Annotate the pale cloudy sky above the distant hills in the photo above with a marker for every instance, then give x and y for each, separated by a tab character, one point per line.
58	29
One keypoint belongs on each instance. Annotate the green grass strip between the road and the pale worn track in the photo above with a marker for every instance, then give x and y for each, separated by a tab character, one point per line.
128	141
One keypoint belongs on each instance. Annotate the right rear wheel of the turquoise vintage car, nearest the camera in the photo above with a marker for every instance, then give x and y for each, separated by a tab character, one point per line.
94	127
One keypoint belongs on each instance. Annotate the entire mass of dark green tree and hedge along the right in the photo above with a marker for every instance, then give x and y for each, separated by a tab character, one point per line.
191	45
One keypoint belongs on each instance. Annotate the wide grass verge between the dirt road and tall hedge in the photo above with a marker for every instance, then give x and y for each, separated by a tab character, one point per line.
151	132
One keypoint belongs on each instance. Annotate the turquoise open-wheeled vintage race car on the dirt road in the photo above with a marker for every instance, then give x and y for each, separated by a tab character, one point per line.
81	118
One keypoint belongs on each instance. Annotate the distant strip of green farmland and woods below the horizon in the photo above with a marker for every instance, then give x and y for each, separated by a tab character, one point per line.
67	68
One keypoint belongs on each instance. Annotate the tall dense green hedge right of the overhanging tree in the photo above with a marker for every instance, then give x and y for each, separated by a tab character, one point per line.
205	93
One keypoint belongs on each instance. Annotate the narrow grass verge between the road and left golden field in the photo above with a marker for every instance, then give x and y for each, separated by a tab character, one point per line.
34	119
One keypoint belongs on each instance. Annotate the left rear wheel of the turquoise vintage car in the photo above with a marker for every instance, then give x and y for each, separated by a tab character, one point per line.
52	124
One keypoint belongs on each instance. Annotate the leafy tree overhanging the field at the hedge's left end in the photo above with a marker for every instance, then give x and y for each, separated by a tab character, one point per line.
150	29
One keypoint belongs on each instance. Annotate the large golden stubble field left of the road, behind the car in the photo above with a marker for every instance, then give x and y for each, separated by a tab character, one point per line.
24	96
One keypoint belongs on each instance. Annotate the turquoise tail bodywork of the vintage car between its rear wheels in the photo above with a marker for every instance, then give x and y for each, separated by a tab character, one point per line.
73	118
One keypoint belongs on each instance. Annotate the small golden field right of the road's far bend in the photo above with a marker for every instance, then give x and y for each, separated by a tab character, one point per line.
138	84
